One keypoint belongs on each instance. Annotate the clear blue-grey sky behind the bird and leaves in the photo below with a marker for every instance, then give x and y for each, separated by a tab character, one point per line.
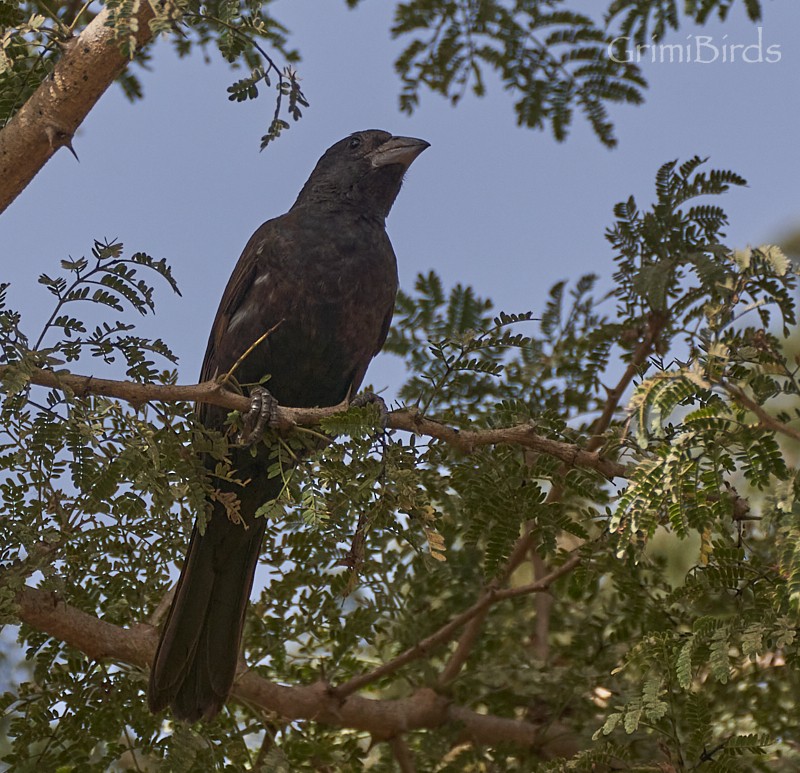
508	210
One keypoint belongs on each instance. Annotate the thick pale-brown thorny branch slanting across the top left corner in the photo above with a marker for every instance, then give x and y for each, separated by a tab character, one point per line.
50	117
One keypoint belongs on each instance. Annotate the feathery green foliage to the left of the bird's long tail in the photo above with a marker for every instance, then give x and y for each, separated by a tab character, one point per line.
90	489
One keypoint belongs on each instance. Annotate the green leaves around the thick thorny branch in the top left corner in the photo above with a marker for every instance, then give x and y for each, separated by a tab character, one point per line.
33	36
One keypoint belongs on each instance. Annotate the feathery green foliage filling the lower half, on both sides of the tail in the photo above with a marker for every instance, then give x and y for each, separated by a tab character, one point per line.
379	539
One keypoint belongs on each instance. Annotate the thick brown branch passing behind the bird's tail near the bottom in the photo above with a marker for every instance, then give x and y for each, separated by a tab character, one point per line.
383	719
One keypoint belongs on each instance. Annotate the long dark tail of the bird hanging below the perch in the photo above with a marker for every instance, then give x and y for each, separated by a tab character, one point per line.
198	653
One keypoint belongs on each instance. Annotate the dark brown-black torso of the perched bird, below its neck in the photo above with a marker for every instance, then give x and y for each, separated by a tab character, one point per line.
304	308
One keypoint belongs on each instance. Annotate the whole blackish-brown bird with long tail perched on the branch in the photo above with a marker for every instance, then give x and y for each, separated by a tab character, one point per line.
307	307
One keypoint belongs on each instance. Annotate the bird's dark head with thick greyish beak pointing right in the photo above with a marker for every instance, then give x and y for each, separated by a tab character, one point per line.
364	170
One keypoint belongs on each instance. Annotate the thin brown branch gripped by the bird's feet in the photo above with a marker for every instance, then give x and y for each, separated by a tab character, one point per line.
408	420
